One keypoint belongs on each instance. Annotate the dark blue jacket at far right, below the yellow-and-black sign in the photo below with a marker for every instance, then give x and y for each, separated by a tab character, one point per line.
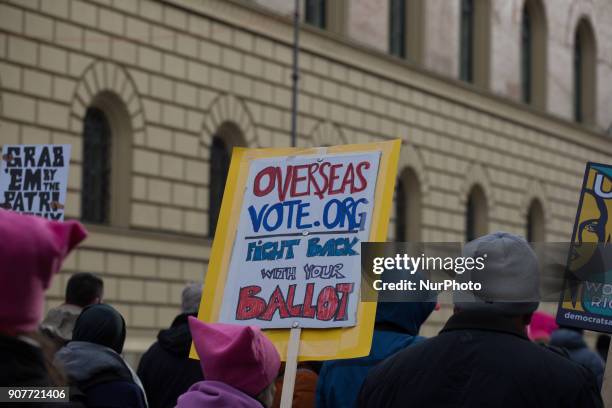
578	351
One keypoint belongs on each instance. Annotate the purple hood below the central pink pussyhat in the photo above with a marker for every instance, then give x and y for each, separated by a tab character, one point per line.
216	394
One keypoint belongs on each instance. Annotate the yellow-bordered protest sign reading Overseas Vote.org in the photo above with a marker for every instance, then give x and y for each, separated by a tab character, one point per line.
287	247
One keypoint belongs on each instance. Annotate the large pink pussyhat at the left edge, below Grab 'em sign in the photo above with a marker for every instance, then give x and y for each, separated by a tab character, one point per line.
31	252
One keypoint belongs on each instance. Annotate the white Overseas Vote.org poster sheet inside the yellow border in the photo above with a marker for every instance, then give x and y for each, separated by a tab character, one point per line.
296	251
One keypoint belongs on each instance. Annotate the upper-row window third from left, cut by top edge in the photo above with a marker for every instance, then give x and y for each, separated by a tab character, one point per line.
474	41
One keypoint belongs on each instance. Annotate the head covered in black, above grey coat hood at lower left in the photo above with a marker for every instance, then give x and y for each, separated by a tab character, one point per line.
101	324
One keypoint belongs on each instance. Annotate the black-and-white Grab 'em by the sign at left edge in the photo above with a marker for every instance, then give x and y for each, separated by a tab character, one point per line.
34	178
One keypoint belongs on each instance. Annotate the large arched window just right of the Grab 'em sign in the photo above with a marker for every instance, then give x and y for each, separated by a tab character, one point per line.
106	162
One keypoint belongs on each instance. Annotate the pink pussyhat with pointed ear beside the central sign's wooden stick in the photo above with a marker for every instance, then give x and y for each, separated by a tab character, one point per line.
240	356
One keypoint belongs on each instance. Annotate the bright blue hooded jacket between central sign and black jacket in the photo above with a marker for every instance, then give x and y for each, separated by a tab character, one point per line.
397	326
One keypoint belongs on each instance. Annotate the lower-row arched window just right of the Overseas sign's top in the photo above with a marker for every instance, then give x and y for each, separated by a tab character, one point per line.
408	207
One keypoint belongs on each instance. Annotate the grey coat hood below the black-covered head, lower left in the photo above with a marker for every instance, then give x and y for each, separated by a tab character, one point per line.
82	361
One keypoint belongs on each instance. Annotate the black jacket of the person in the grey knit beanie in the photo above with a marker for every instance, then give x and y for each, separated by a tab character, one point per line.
479	360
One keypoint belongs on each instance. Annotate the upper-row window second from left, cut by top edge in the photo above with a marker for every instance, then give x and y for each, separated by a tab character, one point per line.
406	29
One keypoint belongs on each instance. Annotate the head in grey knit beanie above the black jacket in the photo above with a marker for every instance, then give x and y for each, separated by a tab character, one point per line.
509	279
